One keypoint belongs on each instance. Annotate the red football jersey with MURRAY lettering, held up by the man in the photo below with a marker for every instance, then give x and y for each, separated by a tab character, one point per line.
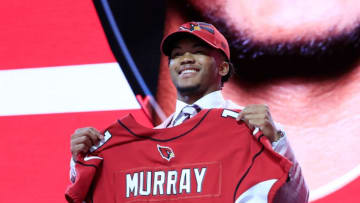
208	158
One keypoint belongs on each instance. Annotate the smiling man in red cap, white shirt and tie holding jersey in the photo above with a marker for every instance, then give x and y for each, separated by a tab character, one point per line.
199	64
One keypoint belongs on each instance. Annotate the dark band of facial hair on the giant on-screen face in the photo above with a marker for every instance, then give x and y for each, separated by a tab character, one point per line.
257	61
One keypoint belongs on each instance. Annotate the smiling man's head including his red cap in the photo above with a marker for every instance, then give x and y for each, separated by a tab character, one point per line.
199	58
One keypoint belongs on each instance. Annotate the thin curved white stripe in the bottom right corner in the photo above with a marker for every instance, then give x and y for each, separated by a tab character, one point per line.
335	185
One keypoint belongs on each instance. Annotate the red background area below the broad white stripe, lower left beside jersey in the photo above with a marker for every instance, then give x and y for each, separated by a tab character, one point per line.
36	152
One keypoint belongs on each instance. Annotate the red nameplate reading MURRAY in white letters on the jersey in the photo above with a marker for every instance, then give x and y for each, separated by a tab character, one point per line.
177	182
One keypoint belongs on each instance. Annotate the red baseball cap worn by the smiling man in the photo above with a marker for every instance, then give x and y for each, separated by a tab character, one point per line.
204	31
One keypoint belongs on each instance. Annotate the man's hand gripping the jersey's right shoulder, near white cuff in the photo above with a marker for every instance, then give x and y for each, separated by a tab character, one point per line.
258	115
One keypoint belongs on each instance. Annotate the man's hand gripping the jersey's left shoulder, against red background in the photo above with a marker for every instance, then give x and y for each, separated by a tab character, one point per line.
83	139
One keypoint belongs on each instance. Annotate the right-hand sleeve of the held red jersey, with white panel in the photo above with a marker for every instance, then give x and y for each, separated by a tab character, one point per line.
267	169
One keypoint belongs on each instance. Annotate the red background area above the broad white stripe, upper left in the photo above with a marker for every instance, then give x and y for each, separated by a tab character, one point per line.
42	33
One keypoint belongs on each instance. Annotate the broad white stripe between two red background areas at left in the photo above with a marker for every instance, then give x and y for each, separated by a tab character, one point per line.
78	88
